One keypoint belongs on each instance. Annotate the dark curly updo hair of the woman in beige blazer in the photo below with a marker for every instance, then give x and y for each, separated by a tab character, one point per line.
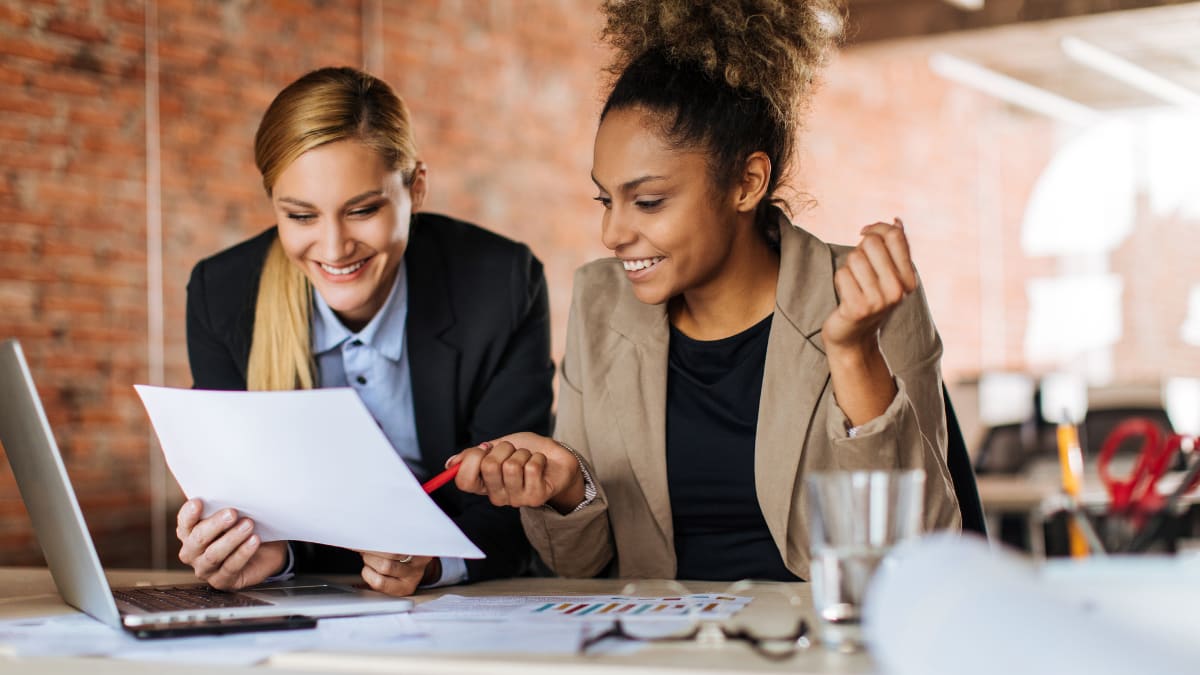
729	76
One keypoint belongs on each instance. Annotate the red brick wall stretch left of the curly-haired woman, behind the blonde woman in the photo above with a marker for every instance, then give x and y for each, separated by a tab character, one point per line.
503	97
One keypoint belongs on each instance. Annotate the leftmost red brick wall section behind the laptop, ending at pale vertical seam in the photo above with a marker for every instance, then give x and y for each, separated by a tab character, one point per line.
73	252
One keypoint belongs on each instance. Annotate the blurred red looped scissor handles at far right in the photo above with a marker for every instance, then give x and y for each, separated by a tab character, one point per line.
1139	492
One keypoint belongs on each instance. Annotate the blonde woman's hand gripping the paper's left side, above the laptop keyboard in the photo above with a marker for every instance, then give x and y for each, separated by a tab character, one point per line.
224	549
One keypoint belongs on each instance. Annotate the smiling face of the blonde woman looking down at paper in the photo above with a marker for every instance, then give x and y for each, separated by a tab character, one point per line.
344	219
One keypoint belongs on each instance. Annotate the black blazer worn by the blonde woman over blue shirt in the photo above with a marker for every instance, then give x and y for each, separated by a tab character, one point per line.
478	339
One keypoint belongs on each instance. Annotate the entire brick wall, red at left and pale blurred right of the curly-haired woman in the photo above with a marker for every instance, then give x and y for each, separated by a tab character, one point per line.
505	97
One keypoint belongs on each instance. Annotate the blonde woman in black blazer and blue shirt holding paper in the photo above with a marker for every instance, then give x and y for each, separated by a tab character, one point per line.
442	327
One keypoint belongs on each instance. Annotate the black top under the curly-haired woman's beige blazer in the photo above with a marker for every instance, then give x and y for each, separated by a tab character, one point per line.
713	390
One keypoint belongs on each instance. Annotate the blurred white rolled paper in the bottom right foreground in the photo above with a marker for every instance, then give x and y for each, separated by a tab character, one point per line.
951	605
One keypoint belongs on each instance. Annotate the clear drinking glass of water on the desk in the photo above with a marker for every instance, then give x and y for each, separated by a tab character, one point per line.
855	519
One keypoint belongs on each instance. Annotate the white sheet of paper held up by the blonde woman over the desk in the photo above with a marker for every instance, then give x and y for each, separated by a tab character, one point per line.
309	465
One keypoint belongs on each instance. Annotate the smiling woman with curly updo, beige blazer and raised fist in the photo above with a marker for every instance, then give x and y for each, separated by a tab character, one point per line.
723	353
